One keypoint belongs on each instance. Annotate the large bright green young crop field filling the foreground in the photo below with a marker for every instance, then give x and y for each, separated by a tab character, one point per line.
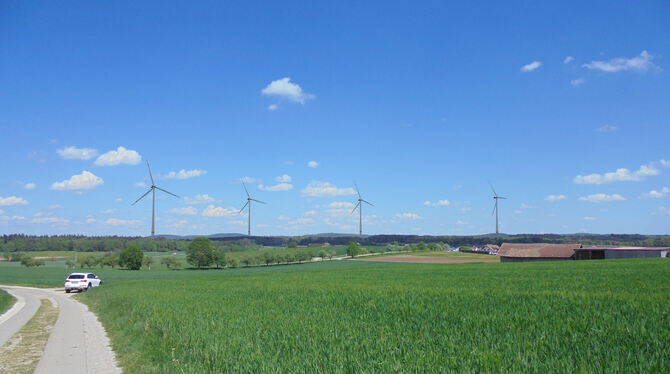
355	316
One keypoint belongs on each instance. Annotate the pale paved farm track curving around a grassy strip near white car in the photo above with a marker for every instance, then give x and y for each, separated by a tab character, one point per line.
77	344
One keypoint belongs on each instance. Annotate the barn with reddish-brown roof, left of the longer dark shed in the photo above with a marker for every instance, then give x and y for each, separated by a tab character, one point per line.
522	252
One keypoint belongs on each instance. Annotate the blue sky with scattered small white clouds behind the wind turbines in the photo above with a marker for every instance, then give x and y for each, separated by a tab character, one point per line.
563	107
